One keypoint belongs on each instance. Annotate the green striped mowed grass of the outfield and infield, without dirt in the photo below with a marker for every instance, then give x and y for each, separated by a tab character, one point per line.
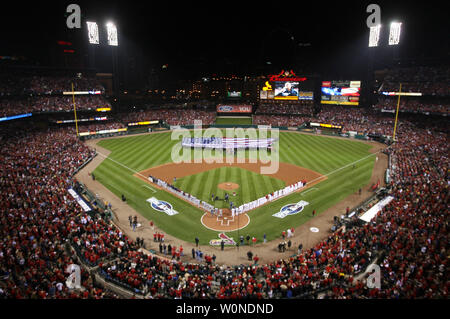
328	156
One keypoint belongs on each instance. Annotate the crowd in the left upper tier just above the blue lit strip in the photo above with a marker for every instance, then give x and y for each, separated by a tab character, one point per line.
16	106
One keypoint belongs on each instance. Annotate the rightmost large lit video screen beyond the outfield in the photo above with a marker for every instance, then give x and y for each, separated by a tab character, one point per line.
341	92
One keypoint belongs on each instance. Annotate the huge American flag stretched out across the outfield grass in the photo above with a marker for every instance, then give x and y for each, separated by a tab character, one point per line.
227	142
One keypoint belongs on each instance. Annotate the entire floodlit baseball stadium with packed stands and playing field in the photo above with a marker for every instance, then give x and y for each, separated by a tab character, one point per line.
277	178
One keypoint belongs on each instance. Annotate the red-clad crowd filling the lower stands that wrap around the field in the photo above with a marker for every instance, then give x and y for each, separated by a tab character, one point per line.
408	238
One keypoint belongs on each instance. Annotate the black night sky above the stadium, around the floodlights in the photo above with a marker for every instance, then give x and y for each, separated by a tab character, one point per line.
231	37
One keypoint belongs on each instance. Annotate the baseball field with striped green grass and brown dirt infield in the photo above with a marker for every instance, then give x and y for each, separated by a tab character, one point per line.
334	169
